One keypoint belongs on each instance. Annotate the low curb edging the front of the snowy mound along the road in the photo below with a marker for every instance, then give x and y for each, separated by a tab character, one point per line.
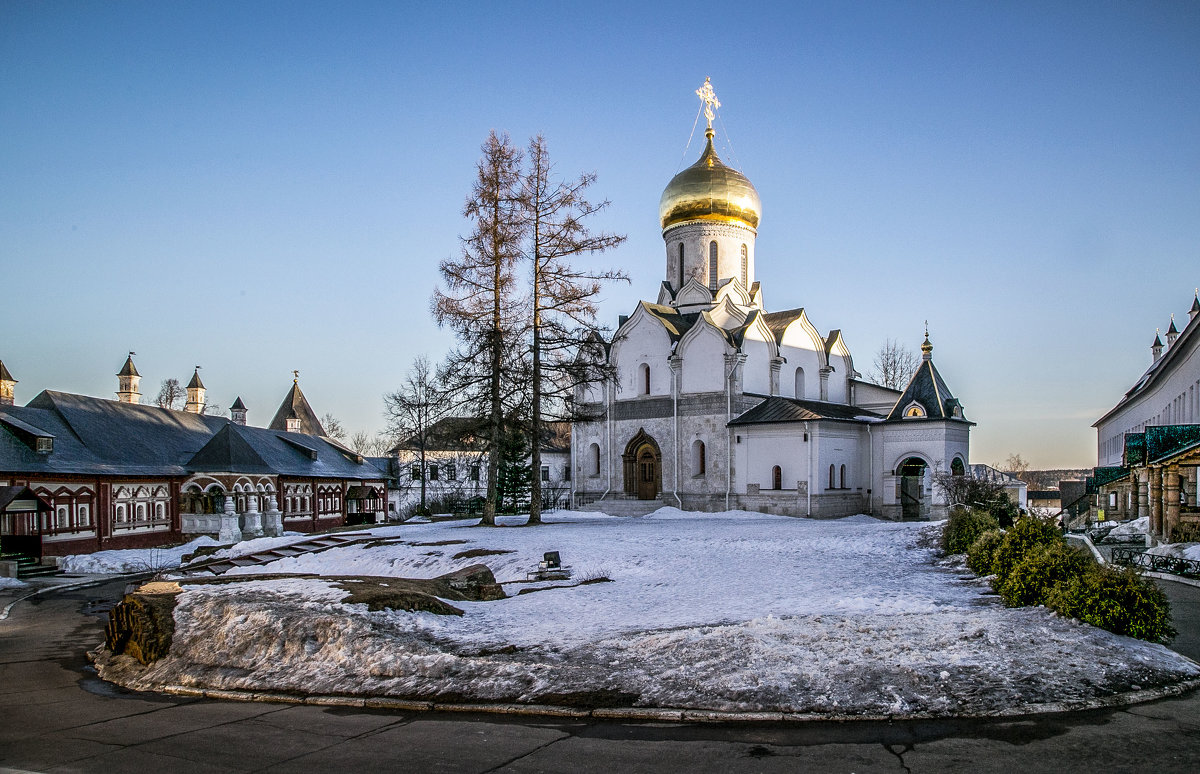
663	715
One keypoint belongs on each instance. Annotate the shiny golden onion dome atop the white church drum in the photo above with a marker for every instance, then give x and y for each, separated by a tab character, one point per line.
710	191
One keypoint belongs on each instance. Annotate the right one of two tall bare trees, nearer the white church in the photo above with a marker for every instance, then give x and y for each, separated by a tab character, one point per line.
563	296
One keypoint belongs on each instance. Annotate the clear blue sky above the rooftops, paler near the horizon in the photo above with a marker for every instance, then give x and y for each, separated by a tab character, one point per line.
266	187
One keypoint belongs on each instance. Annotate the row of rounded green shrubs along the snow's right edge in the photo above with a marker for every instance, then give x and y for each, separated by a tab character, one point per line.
1033	565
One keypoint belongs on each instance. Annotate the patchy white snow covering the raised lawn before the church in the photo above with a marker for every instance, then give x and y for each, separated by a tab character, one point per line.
731	613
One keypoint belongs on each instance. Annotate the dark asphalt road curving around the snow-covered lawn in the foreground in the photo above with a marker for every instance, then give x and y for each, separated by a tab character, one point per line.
58	717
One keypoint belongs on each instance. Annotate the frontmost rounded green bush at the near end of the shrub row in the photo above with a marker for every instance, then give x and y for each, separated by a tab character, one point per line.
1119	601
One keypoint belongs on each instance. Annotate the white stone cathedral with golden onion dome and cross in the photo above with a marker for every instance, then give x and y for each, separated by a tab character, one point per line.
717	404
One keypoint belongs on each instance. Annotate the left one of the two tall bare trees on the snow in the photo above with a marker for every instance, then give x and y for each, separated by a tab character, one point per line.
479	301
